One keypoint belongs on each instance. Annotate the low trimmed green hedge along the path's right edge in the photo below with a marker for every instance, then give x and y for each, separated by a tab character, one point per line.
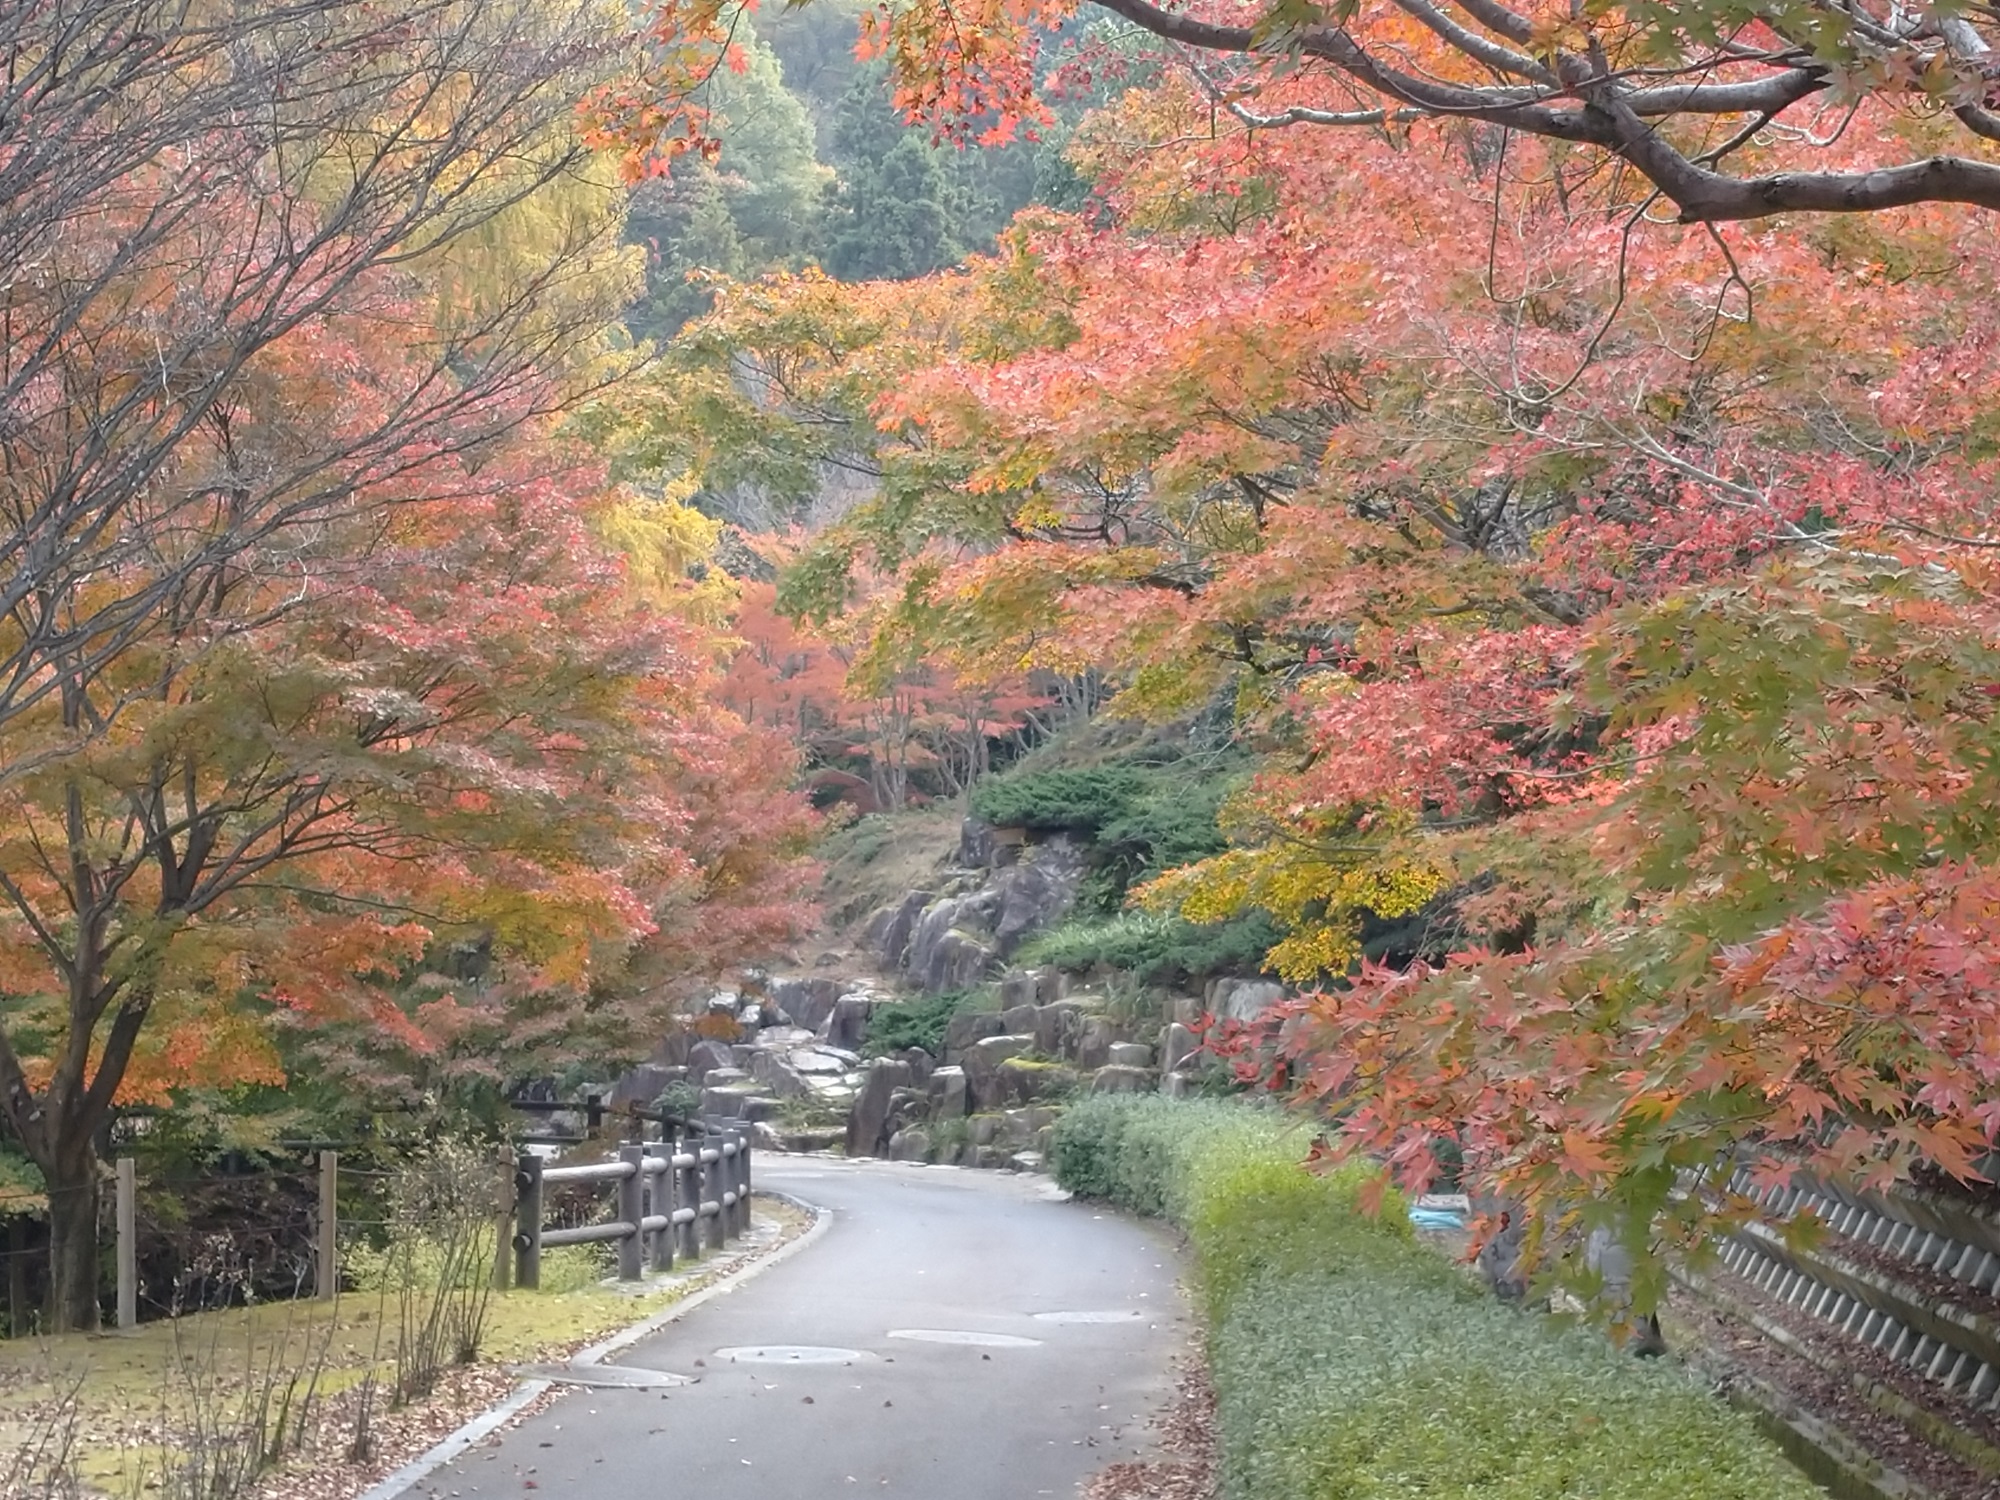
1355	1365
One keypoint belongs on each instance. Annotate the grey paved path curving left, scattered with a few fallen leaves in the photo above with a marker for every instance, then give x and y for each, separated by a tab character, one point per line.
993	1401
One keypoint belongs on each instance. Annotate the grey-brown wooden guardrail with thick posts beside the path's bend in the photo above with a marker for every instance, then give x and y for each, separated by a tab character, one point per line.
673	1199
